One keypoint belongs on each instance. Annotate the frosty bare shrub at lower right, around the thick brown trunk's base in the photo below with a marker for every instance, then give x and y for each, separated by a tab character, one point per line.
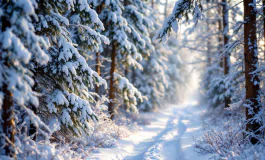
225	137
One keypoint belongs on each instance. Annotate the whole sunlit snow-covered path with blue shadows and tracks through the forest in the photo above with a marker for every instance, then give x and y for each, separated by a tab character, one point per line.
169	137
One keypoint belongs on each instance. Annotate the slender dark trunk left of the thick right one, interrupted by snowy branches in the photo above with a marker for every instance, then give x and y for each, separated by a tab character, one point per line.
226	38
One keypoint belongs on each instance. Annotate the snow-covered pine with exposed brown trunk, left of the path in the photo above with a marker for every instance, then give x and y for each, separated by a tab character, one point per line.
123	49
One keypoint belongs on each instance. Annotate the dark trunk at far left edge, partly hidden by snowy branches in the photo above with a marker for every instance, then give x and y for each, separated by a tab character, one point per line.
8	117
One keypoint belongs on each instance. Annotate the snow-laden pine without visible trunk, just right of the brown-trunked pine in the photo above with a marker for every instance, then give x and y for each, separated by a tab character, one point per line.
151	81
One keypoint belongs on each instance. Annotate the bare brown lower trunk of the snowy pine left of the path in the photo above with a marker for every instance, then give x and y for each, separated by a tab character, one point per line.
112	88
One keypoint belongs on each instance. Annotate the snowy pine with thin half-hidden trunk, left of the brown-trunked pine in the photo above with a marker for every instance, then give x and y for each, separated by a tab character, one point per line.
85	30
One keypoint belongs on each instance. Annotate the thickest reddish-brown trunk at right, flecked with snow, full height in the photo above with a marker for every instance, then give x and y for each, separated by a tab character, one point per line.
251	64
